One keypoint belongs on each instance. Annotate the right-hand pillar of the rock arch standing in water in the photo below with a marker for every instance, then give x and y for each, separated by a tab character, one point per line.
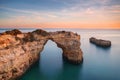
70	44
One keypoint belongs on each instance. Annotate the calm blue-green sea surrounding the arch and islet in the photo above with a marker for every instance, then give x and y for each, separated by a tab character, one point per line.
98	64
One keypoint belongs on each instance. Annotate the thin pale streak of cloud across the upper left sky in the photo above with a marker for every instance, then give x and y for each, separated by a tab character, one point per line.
30	13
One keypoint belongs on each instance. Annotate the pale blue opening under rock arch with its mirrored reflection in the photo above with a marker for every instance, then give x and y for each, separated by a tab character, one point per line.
50	56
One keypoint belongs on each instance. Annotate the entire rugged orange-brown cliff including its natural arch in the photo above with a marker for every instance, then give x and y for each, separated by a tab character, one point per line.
18	51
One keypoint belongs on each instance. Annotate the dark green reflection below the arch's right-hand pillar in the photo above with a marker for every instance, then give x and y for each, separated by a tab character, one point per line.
70	72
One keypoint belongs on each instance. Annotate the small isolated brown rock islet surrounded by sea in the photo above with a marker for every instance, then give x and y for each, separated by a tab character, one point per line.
100	42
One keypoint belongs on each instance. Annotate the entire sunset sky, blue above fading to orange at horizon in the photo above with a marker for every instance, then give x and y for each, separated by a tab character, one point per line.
86	14
